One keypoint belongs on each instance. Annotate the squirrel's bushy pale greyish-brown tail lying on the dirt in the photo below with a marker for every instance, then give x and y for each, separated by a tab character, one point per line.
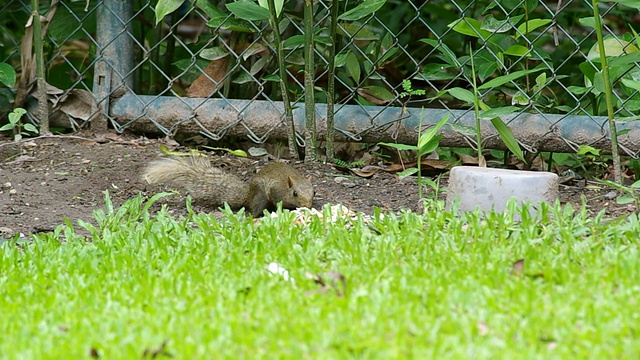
203	181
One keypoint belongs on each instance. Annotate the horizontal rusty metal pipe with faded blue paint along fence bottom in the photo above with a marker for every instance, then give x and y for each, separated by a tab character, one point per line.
262	120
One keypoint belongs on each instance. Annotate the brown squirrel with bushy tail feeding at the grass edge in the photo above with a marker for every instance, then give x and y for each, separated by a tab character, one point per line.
276	182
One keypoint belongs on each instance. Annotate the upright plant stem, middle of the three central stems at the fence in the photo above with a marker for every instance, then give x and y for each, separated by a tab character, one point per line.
309	98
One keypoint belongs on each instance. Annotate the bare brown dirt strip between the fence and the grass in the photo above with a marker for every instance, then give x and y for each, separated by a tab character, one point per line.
46	180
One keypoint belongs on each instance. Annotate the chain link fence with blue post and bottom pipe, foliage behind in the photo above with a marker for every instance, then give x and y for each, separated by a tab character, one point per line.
202	69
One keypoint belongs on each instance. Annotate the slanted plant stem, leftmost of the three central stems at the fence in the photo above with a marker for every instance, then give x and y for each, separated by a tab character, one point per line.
288	112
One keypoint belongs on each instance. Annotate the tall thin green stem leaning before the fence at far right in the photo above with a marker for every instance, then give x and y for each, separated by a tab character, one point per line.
608	94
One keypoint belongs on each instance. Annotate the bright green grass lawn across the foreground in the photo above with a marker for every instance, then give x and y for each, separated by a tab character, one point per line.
437	285
